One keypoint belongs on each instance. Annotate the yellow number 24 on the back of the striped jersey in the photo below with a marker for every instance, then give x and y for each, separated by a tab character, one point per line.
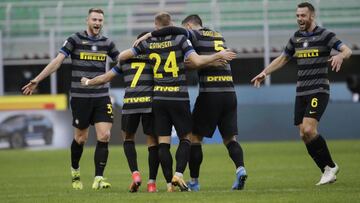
169	67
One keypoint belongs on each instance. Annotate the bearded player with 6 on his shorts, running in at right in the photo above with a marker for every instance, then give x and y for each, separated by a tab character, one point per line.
311	46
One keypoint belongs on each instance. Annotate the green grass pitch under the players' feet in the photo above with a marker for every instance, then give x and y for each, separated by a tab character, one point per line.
278	172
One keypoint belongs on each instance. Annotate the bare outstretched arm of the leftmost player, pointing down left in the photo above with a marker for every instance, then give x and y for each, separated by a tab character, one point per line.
50	68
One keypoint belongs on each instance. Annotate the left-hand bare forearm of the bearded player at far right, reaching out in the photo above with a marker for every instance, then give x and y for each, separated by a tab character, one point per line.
276	64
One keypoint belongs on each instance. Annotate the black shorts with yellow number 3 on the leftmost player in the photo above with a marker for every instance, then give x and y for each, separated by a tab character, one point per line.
88	111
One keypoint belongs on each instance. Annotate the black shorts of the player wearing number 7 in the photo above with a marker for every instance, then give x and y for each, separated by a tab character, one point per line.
130	123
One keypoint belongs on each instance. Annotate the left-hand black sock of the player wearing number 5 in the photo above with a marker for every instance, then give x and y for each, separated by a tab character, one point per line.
195	160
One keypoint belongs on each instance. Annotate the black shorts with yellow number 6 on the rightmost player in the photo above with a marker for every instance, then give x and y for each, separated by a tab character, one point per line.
311	106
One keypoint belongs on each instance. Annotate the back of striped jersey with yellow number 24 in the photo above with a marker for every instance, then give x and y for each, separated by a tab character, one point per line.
167	54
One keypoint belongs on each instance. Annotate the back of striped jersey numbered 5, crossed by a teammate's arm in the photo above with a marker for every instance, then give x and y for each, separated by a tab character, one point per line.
219	79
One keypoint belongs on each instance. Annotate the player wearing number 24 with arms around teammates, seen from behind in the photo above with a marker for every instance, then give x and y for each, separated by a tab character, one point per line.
171	99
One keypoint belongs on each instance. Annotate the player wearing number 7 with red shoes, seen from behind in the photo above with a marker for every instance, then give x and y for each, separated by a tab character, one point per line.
138	77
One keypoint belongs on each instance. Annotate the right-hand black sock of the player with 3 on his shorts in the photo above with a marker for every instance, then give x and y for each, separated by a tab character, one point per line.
100	158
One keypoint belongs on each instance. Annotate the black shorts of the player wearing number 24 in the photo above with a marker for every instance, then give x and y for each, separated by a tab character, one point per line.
168	113
